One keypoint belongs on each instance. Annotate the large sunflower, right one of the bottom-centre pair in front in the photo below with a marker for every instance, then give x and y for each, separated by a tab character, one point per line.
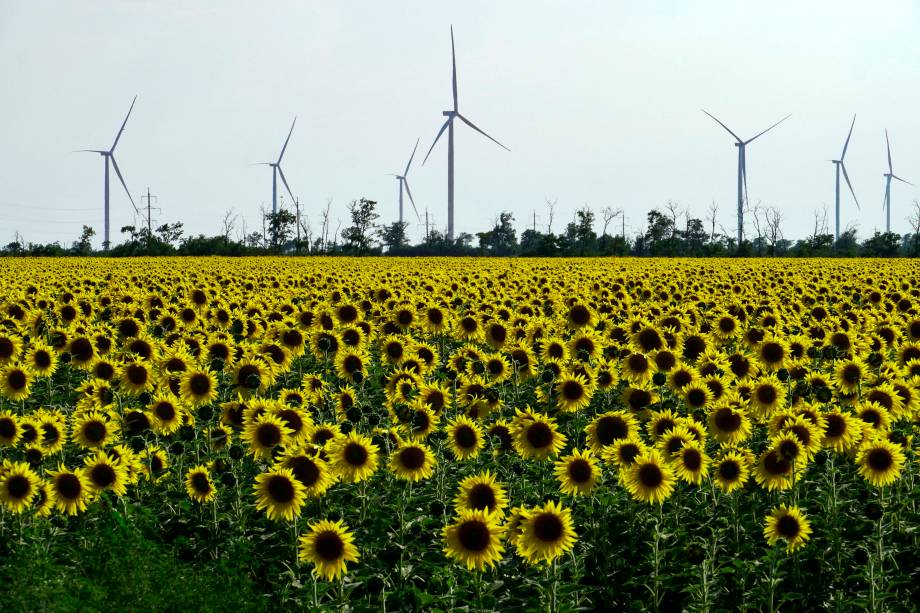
546	533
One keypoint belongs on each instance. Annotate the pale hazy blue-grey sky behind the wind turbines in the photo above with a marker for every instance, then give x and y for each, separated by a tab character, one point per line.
600	103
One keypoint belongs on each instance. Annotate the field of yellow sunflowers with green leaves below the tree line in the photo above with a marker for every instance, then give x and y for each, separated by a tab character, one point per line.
438	434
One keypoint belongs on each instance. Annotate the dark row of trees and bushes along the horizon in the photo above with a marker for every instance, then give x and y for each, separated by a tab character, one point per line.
669	231
